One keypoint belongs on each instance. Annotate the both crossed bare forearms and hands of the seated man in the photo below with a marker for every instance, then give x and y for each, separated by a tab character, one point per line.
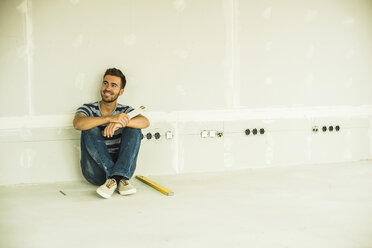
82	122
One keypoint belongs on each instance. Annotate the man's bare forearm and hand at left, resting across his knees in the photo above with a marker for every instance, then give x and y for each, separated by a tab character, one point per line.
82	122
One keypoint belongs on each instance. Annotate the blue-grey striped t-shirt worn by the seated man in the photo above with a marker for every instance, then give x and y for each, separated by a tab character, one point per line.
93	110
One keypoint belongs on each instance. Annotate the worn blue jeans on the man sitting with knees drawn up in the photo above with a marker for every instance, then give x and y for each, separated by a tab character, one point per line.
96	163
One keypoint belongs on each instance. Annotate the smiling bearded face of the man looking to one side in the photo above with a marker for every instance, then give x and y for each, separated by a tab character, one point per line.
110	89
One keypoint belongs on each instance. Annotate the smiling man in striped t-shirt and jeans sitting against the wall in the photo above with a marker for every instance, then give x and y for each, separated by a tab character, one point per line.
110	140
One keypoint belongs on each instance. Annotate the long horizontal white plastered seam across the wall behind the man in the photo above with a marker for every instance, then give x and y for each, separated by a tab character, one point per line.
346	112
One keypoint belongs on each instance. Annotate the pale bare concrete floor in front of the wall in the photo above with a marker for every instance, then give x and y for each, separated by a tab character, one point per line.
299	206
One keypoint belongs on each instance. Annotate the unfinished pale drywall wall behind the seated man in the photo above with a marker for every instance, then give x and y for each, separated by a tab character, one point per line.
188	62
